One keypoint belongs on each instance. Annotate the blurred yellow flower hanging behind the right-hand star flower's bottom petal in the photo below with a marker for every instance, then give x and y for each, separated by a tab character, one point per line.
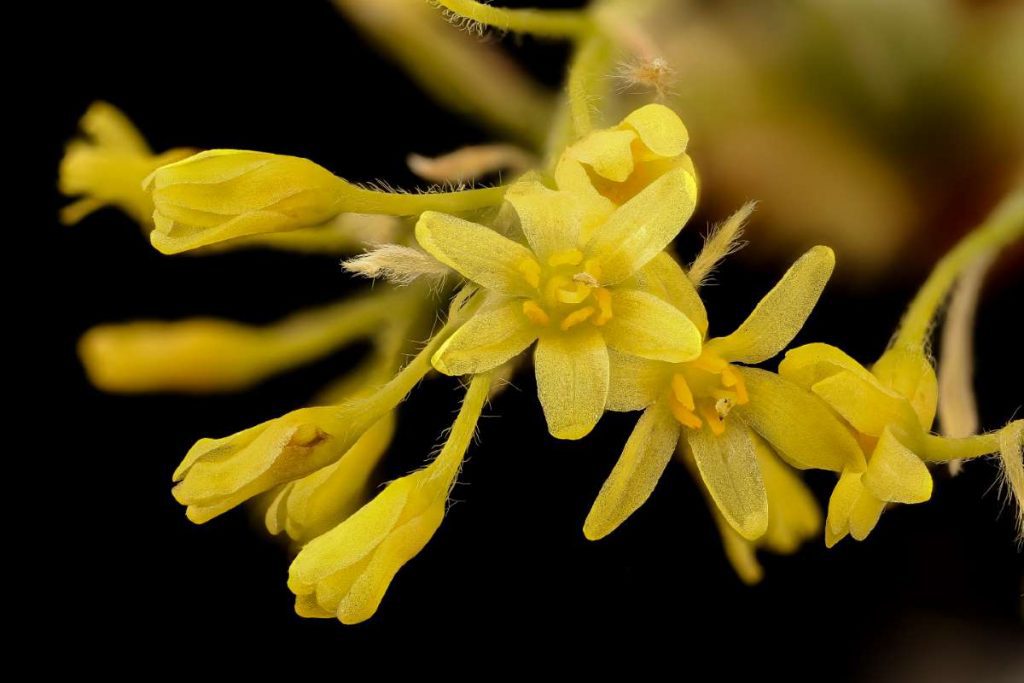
794	516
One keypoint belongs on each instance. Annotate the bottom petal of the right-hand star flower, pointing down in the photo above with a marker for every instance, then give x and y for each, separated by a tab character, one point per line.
730	468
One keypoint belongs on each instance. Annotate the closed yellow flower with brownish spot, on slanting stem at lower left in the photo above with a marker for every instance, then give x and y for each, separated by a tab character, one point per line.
219	475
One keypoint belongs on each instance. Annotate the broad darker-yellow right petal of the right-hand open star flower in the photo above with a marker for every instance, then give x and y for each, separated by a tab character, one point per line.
797	424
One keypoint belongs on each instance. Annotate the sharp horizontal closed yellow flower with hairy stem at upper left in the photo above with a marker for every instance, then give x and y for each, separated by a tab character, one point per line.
223	195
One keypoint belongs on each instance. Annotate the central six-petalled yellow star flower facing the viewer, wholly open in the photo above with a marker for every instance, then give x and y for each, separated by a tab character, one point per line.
575	295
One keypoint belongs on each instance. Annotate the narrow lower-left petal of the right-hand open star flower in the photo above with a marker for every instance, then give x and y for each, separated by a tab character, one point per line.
633	480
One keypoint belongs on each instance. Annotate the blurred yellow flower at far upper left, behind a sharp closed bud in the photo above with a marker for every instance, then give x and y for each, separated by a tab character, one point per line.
108	166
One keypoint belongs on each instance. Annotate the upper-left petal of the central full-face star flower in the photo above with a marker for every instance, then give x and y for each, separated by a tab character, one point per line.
479	253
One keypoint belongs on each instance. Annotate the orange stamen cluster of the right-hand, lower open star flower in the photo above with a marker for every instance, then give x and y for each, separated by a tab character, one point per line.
706	391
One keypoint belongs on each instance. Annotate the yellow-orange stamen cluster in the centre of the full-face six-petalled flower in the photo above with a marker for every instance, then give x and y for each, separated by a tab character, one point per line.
569	291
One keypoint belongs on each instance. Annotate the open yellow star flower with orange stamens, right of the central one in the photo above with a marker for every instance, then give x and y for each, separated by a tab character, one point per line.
716	410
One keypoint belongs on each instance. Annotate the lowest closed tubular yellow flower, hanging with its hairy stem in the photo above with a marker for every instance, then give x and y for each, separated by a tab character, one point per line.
346	572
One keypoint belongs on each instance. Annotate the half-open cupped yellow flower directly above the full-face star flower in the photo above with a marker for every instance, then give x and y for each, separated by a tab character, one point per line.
614	165
